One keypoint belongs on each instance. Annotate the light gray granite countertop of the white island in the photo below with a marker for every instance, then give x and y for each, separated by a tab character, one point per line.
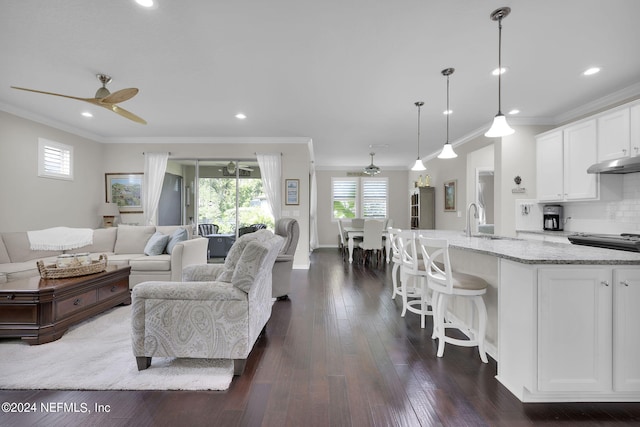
534	252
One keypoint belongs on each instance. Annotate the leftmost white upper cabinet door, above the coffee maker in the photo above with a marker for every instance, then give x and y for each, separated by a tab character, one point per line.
549	169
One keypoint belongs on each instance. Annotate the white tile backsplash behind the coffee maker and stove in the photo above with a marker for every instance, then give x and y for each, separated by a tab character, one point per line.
611	217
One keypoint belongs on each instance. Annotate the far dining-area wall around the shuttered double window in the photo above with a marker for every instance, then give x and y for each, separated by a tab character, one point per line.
398	202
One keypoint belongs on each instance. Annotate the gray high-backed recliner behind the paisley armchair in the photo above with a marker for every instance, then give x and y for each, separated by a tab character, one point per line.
290	230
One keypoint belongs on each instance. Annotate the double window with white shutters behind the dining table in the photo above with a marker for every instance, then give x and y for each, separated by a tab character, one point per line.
359	197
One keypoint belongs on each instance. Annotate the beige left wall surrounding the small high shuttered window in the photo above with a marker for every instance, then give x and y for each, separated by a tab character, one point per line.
29	202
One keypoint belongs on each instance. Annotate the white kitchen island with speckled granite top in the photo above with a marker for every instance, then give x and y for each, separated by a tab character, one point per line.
563	319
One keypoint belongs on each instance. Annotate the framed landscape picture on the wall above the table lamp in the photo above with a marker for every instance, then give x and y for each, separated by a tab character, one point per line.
125	189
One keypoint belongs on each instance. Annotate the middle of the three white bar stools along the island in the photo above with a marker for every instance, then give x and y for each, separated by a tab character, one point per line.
413	268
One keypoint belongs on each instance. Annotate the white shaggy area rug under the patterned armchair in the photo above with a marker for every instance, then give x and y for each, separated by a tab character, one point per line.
97	355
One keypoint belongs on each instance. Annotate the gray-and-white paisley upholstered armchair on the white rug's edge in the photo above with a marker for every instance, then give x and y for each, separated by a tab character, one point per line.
217	312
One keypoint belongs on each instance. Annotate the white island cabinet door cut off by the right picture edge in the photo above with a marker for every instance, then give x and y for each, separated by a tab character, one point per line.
626	329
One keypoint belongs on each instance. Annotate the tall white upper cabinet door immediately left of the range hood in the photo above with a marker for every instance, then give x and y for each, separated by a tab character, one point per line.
580	152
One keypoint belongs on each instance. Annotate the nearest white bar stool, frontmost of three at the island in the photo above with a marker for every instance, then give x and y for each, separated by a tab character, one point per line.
445	283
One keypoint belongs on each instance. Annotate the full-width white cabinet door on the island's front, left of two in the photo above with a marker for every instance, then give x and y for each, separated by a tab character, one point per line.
574	329
